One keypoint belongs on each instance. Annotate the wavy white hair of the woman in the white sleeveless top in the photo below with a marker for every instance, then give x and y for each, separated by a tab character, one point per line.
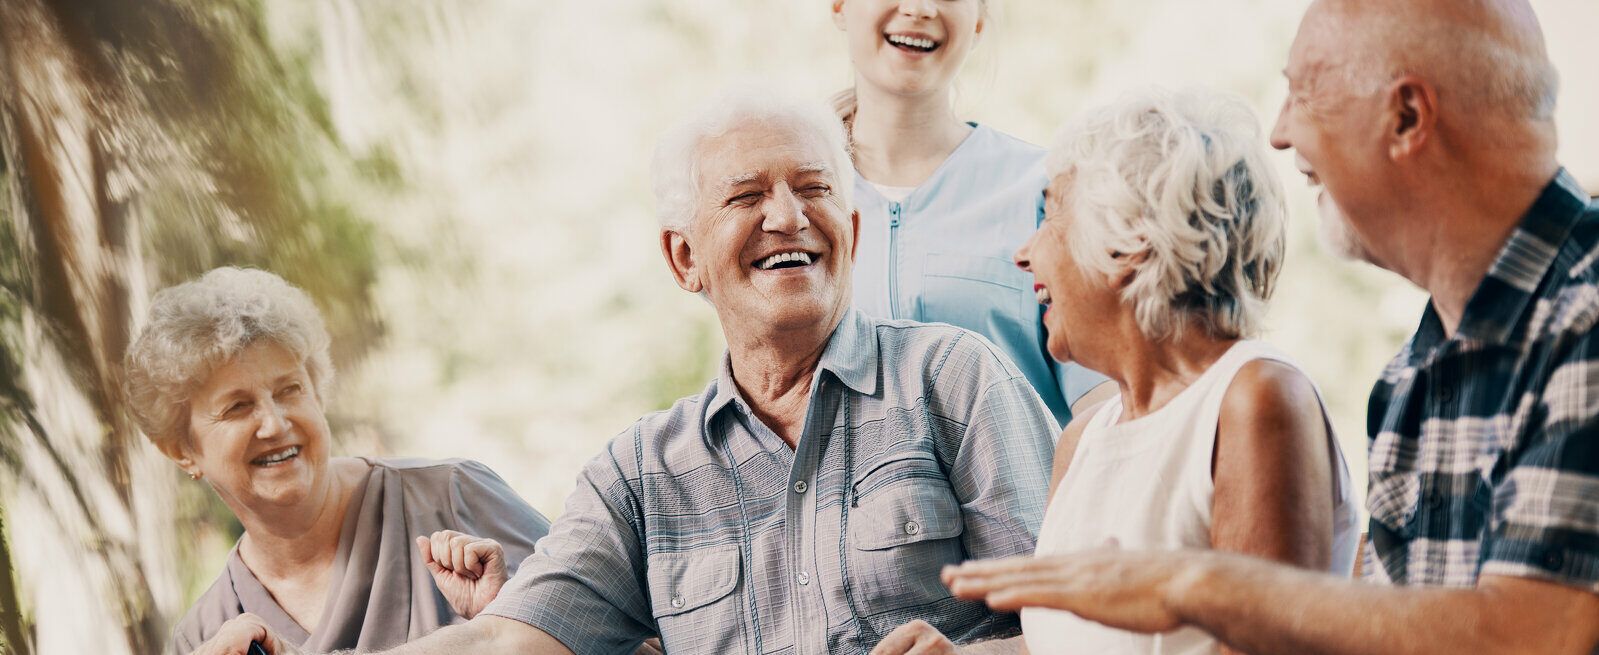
1181	178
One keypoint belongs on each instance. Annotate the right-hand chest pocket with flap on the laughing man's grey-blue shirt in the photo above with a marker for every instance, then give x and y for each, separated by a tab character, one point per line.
904	526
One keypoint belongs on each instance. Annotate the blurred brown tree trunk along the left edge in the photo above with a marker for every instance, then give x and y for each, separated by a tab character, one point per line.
73	240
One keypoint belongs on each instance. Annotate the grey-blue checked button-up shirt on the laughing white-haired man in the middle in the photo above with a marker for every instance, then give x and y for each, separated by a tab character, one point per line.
922	448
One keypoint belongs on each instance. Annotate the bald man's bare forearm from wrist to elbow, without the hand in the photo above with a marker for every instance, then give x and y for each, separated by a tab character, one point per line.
1267	609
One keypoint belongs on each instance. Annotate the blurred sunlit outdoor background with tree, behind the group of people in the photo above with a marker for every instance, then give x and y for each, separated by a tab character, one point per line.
463	186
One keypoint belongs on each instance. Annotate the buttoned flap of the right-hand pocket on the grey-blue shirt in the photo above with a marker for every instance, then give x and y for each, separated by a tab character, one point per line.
915	510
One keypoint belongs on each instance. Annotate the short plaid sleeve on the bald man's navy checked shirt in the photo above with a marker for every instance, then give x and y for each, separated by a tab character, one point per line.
1545	518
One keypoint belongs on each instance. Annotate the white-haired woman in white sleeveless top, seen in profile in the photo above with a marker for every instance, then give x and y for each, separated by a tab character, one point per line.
1165	234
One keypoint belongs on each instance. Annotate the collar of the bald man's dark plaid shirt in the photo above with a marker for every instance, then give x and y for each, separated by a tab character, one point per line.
1501	301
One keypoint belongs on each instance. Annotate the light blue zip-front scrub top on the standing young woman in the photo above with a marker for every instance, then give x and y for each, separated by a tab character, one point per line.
944	256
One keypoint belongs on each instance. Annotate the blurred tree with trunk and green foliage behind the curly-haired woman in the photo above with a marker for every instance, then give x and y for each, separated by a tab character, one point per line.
143	145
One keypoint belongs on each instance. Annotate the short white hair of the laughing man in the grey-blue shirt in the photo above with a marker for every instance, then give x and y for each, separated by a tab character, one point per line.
676	167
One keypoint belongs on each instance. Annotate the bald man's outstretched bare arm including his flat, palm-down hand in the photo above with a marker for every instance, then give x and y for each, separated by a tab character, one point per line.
1266	608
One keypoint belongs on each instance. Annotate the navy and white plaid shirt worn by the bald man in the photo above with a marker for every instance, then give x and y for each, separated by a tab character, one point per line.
1485	456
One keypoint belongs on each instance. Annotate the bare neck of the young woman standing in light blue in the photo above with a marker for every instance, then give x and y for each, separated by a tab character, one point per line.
903	140
